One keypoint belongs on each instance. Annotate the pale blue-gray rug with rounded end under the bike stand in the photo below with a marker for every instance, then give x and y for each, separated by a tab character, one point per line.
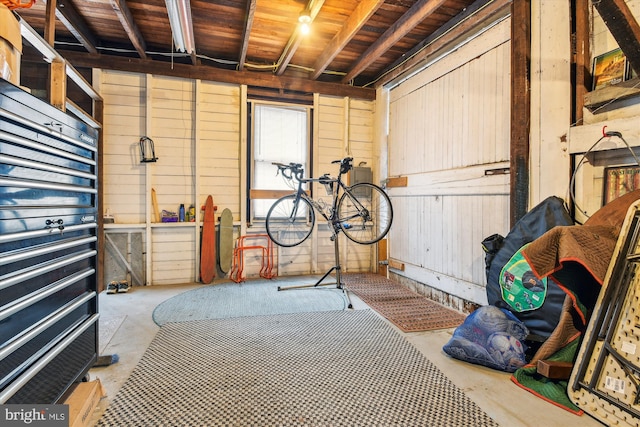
251	298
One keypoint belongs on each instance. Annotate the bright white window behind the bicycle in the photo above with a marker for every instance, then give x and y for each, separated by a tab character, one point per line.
280	134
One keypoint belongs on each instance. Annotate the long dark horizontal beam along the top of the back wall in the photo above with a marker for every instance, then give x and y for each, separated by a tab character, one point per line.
204	72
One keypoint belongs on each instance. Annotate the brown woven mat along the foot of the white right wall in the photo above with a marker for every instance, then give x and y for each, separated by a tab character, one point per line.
403	307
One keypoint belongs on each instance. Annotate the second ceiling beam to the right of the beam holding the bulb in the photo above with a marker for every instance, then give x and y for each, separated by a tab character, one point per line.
414	16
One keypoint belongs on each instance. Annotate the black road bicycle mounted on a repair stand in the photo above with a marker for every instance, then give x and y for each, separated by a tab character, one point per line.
361	211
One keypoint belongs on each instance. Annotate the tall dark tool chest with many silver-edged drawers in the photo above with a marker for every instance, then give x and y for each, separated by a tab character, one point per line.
48	249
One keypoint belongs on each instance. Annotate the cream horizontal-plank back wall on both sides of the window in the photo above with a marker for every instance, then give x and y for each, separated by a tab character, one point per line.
196	128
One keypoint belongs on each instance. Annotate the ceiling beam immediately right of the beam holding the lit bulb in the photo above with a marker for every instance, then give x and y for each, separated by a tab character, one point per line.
358	18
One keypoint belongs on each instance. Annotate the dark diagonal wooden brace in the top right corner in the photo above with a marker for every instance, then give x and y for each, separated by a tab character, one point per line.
623	27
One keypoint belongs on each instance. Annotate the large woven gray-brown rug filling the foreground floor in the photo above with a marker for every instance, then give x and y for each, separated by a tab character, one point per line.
343	368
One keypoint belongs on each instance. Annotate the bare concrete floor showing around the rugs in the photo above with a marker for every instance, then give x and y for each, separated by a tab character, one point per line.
491	390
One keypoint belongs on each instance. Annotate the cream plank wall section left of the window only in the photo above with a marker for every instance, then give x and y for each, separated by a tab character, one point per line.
172	127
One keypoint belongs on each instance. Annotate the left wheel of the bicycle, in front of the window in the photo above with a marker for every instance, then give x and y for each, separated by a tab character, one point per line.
288	222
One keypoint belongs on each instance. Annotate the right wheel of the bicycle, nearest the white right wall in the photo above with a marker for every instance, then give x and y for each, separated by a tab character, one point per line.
365	213
